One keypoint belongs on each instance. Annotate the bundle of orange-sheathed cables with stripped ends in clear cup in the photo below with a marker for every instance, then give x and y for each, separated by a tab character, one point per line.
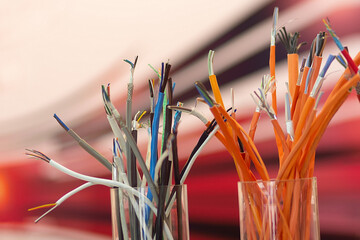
305	126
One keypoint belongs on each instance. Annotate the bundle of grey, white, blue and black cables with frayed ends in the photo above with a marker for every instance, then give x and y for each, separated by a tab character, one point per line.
159	170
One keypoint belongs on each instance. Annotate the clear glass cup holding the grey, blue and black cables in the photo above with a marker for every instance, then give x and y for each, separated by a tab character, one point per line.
134	216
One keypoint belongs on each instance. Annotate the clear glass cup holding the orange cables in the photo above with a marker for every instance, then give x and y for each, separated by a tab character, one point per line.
279	210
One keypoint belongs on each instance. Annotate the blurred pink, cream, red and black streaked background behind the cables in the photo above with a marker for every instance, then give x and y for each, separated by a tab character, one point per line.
54	56
